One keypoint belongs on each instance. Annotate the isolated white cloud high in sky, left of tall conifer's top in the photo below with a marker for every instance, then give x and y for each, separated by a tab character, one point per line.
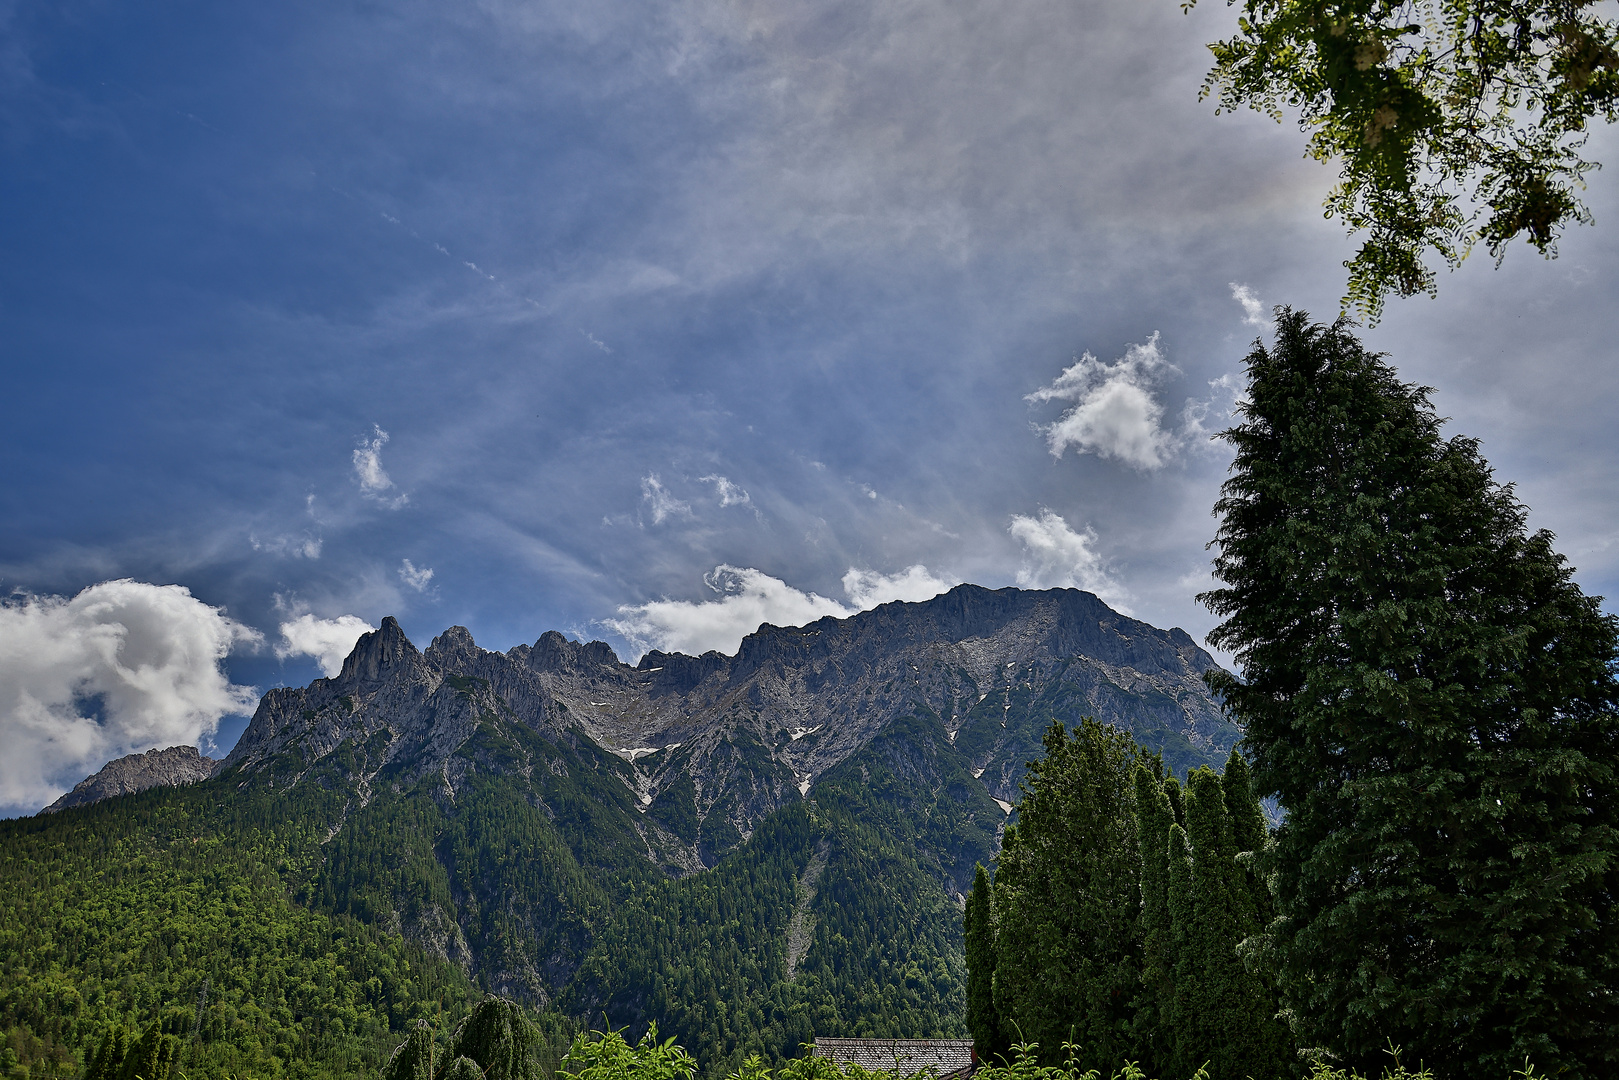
1116	414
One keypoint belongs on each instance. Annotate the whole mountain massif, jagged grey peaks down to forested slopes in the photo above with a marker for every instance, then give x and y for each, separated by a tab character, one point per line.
749	851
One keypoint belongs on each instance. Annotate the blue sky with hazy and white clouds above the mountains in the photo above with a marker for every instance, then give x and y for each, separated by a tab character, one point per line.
650	320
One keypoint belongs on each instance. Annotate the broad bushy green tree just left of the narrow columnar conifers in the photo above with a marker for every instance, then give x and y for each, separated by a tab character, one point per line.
1068	898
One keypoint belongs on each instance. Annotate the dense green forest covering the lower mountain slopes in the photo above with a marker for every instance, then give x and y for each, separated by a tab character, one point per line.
281	914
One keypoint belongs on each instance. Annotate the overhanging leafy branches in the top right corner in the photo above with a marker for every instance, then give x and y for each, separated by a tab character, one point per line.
1456	122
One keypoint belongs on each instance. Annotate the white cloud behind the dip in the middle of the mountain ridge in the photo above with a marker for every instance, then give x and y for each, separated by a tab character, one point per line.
747	598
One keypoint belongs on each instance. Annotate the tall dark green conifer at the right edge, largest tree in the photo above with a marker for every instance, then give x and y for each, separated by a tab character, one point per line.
1435	704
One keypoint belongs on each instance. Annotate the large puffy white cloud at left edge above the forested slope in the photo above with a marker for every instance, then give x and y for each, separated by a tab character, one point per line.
119	670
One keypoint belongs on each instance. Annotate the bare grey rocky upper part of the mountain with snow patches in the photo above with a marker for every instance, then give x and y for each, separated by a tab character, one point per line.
723	741
